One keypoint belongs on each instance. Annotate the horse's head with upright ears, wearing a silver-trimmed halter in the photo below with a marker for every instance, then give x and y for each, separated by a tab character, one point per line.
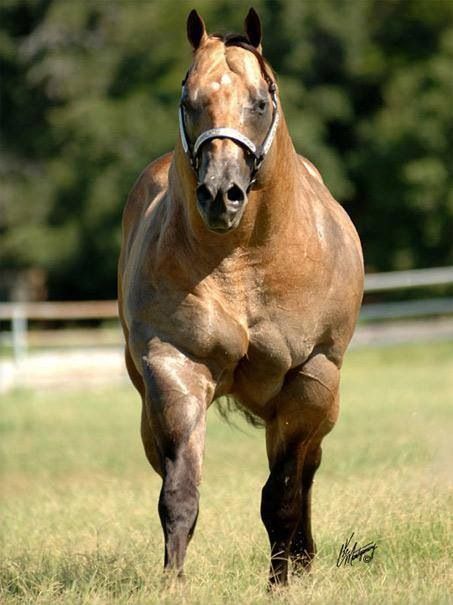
228	118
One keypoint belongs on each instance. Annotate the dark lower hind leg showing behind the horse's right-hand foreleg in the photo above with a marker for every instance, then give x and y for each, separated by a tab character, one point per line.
303	547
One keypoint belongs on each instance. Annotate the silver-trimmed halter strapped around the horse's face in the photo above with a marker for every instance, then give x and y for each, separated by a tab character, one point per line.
257	152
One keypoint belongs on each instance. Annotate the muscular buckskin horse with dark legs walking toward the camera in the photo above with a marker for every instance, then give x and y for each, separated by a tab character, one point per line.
239	276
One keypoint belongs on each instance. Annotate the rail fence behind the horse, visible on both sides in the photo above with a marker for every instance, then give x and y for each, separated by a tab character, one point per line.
19	314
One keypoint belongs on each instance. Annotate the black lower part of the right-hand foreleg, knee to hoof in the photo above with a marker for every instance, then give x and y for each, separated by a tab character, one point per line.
280	511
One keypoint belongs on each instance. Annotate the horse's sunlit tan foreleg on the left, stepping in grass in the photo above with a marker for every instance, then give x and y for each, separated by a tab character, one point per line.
178	392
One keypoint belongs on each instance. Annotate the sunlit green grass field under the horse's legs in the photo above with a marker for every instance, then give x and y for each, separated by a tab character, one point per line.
78	500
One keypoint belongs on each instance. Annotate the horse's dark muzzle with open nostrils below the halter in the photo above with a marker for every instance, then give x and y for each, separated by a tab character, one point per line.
222	209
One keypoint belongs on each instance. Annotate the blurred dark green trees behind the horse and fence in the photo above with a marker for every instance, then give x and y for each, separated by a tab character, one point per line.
89	97
